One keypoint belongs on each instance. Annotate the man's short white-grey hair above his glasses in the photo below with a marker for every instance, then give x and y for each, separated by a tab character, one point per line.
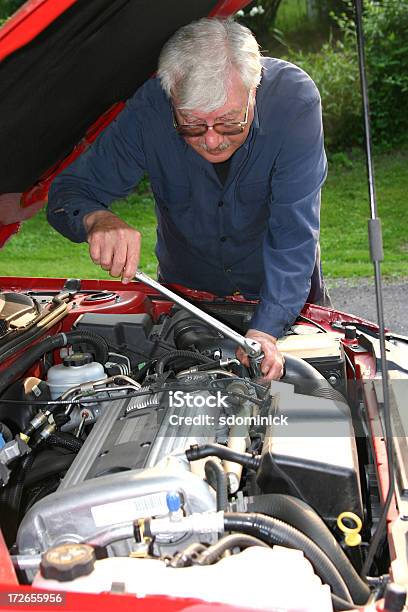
197	62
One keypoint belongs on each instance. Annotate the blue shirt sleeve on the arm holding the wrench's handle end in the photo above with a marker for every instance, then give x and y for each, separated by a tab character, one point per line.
110	169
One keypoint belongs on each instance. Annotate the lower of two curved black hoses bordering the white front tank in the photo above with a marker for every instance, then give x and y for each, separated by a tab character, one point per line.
273	531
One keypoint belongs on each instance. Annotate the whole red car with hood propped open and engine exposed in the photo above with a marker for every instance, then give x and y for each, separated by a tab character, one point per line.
107	500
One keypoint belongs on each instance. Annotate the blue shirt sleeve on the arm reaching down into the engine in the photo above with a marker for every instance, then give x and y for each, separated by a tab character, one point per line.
289	249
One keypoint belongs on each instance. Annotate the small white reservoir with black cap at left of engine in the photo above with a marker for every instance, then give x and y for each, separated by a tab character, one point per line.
75	370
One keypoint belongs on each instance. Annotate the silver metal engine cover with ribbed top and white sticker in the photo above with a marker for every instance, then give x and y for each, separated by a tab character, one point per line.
132	458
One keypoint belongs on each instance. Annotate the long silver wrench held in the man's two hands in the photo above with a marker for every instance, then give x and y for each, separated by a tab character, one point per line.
251	347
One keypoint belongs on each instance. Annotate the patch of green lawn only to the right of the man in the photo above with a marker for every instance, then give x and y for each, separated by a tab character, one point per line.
345	211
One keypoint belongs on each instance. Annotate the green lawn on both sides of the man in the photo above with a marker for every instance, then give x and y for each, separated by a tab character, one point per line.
38	250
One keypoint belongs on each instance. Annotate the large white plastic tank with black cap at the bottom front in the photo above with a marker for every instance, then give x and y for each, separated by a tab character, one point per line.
267	579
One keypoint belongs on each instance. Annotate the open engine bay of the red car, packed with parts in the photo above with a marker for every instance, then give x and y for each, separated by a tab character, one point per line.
133	443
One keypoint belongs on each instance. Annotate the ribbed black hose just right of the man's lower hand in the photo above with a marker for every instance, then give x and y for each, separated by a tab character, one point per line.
307	379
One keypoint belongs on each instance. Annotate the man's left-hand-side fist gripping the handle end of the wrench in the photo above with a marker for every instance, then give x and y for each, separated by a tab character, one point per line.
113	244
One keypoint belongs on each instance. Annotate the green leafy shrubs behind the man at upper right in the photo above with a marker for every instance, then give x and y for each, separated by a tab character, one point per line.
335	71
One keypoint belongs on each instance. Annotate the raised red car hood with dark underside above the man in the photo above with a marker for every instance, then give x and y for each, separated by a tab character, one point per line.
67	66
